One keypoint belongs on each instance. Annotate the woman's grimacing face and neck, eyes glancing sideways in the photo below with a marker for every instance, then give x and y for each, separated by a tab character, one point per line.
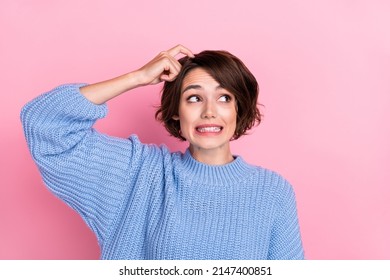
207	113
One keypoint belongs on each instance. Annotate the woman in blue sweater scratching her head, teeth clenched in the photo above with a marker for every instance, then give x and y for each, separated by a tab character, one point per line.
144	202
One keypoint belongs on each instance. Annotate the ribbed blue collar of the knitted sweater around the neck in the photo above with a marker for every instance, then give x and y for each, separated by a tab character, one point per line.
215	175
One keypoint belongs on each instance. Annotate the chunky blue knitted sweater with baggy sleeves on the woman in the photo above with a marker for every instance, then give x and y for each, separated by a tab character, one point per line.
144	202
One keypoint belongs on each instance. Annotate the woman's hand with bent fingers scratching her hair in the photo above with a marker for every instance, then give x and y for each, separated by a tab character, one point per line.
164	67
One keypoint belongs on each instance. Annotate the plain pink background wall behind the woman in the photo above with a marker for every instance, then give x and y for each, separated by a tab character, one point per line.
323	69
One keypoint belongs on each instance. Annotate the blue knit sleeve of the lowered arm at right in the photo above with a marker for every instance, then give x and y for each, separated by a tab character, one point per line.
286	243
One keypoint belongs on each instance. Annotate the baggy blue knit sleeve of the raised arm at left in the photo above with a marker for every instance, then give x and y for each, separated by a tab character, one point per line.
86	169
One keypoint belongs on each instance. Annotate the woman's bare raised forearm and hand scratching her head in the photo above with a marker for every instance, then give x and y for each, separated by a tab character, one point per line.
164	67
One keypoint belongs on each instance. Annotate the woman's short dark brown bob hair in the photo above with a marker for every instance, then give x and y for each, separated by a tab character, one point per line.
232	75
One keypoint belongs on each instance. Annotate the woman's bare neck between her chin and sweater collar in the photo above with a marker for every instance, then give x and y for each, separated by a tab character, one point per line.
217	156
